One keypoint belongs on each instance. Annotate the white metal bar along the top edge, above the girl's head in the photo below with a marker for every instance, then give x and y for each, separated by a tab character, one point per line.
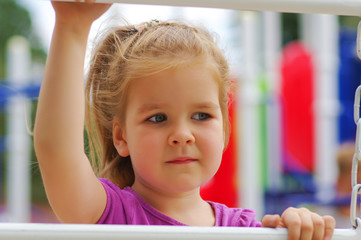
336	7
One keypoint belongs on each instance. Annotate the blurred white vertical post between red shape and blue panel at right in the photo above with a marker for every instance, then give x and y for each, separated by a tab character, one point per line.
322	38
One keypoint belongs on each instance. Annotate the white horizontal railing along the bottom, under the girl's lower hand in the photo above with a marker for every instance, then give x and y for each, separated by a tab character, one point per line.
34	231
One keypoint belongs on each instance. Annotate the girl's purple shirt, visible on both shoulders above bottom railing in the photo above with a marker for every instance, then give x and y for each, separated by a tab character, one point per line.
125	206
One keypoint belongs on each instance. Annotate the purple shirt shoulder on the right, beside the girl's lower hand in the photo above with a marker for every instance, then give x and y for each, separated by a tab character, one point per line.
234	217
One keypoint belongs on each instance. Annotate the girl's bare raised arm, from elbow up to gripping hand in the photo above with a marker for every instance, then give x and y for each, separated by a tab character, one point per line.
58	134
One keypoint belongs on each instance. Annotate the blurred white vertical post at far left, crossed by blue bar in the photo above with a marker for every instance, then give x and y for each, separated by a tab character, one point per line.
18	142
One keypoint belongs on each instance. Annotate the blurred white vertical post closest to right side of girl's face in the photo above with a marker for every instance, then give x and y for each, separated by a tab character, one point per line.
251	195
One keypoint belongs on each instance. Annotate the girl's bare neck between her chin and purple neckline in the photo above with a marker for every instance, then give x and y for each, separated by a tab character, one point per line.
185	207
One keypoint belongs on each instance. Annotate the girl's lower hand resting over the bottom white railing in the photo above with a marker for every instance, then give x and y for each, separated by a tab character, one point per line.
302	224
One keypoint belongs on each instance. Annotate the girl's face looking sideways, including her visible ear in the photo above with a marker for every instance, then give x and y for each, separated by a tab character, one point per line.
173	129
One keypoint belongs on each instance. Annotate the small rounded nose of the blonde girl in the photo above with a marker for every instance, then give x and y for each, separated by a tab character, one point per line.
181	135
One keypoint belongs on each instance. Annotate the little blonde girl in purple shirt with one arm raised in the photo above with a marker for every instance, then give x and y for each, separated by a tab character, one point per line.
157	121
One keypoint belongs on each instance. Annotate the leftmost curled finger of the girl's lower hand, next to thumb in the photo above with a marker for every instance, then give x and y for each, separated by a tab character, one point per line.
292	221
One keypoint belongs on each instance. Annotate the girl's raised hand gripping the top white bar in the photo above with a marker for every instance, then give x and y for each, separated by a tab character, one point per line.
78	14
